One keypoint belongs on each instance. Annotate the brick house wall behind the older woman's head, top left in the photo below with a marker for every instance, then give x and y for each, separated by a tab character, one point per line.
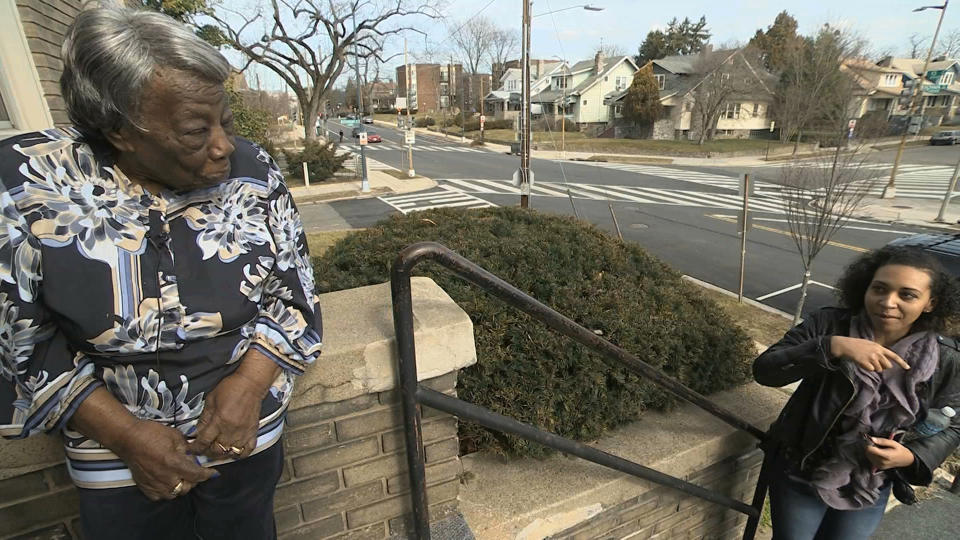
44	23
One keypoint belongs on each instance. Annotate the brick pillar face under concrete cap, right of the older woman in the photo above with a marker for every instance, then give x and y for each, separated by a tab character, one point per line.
345	472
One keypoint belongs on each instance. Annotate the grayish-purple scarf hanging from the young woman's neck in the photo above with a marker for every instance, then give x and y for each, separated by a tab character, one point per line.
884	401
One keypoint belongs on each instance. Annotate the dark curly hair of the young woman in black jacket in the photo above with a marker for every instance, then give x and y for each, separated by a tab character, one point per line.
944	287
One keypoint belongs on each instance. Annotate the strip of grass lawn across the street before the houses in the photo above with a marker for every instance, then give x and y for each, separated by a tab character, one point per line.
576	141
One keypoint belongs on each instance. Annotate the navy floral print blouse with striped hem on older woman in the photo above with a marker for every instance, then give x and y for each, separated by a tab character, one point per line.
155	297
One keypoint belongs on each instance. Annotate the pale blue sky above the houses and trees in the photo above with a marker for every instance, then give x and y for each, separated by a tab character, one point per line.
576	34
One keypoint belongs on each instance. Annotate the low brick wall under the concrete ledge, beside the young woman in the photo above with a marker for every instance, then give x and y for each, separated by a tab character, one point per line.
667	513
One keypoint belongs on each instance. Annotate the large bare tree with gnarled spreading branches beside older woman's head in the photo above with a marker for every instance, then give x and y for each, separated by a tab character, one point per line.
308	42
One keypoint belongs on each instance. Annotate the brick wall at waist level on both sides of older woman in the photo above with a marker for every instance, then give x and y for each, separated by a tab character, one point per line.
344	475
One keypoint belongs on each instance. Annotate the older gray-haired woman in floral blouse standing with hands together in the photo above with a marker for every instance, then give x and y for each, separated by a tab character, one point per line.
156	295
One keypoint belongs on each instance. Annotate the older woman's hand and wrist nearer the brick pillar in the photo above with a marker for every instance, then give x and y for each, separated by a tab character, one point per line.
231	412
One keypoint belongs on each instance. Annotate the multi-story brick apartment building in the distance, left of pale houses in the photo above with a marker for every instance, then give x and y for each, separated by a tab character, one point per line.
433	87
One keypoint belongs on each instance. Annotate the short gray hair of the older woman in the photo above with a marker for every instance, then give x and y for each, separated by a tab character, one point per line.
109	55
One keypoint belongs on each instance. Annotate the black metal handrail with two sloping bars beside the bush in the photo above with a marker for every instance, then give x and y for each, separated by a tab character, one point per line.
411	393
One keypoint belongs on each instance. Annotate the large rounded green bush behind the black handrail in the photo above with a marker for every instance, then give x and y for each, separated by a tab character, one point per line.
523	369
